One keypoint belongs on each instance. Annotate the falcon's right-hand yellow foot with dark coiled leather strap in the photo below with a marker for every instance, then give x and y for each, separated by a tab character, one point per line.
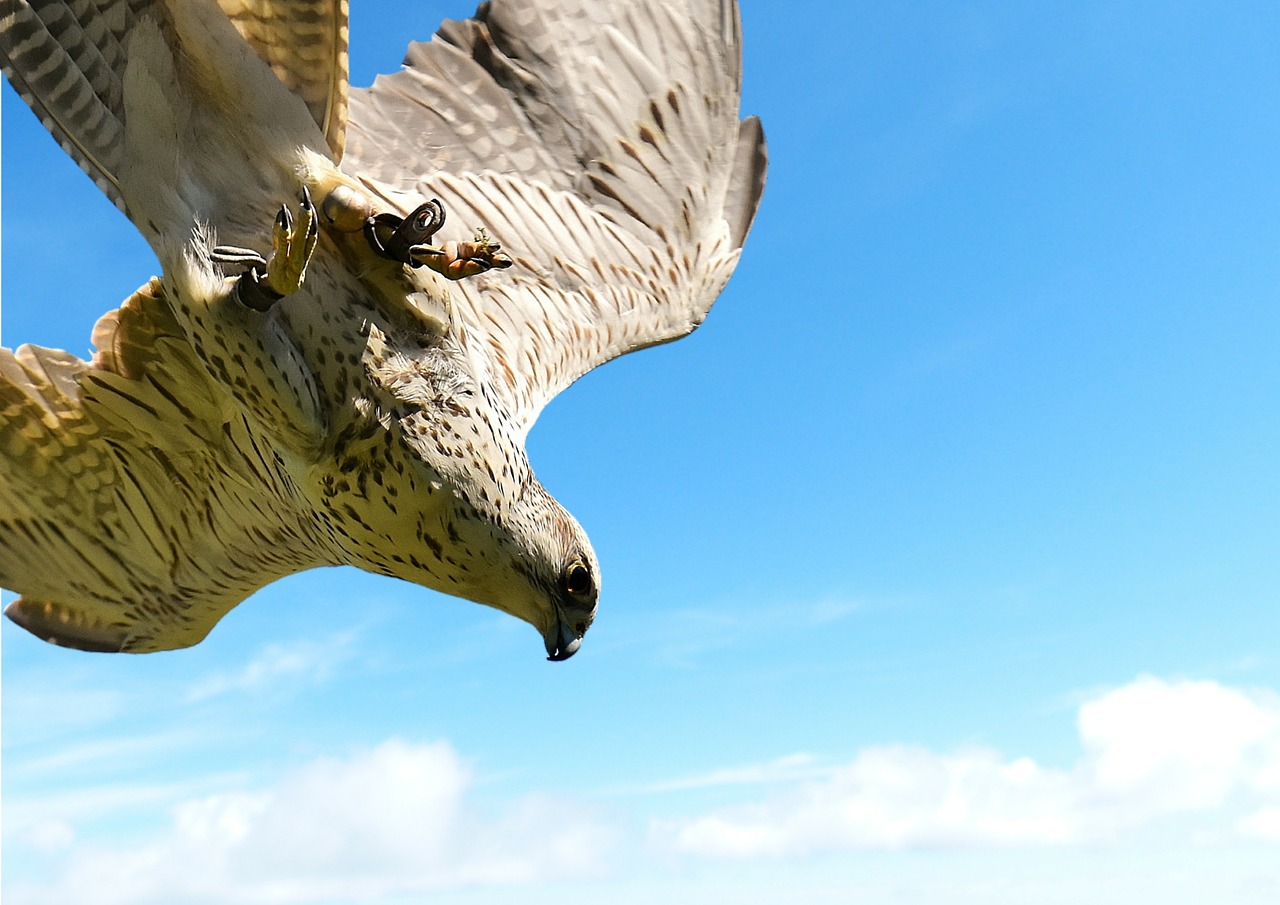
408	241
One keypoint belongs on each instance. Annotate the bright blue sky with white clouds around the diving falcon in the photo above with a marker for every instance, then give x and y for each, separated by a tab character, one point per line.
940	566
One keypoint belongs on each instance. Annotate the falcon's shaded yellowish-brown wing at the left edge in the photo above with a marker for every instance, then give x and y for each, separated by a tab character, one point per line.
132	514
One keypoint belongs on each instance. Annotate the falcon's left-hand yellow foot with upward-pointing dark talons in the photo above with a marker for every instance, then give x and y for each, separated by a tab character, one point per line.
268	281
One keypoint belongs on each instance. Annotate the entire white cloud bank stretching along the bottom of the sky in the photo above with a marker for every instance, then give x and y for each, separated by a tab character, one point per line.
1197	760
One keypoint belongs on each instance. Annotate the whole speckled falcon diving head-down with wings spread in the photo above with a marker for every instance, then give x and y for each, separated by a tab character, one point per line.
368	295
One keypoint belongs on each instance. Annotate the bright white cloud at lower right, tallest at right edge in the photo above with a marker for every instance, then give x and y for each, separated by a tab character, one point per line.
1151	749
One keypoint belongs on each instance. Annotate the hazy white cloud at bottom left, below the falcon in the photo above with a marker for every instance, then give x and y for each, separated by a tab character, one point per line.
392	821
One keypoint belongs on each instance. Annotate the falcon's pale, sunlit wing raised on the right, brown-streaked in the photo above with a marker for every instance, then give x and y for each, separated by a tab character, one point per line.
601	144
